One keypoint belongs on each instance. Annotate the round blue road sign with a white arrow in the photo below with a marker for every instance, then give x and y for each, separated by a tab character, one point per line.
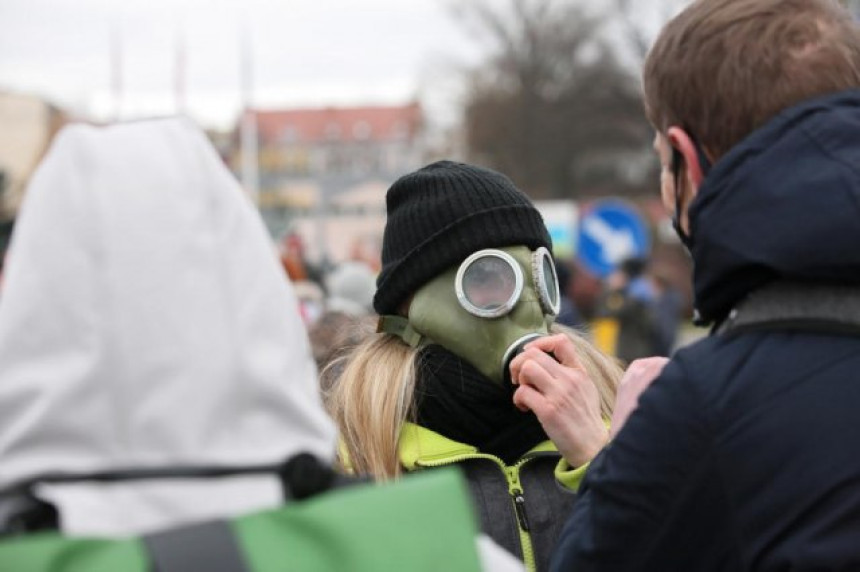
610	232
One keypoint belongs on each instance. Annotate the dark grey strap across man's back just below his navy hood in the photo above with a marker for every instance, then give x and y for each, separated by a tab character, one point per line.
797	306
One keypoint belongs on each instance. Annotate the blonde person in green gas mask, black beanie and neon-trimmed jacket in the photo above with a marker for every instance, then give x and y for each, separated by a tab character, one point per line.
467	282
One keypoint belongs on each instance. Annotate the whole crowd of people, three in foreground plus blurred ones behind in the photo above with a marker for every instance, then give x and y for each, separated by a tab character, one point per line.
172	399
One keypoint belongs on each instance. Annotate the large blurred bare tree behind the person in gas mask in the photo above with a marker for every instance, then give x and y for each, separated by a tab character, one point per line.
552	101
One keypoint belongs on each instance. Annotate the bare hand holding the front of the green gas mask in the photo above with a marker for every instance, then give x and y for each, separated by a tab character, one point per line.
562	396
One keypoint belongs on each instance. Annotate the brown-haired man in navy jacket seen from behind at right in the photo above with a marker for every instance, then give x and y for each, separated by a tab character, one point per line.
743	454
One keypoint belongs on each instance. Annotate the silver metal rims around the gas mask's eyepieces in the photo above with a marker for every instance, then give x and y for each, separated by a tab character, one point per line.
547	287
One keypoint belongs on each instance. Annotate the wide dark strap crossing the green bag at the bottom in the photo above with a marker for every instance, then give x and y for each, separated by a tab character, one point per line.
210	546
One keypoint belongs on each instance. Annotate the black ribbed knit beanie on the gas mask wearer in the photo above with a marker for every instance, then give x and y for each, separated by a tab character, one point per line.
442	213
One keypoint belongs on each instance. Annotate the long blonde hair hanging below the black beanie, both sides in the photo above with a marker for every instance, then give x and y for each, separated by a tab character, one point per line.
375	395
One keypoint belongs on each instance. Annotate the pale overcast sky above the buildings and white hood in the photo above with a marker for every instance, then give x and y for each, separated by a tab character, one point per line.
304	52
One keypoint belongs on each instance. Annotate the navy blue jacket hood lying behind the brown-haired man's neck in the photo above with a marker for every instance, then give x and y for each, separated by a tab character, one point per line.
782	204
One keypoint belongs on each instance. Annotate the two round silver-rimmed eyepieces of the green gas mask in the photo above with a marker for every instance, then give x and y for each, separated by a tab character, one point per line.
490	282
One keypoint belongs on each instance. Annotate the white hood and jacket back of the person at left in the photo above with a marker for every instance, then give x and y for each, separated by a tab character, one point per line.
145	322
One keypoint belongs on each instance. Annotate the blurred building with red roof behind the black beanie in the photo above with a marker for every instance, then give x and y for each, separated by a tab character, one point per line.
316	167
